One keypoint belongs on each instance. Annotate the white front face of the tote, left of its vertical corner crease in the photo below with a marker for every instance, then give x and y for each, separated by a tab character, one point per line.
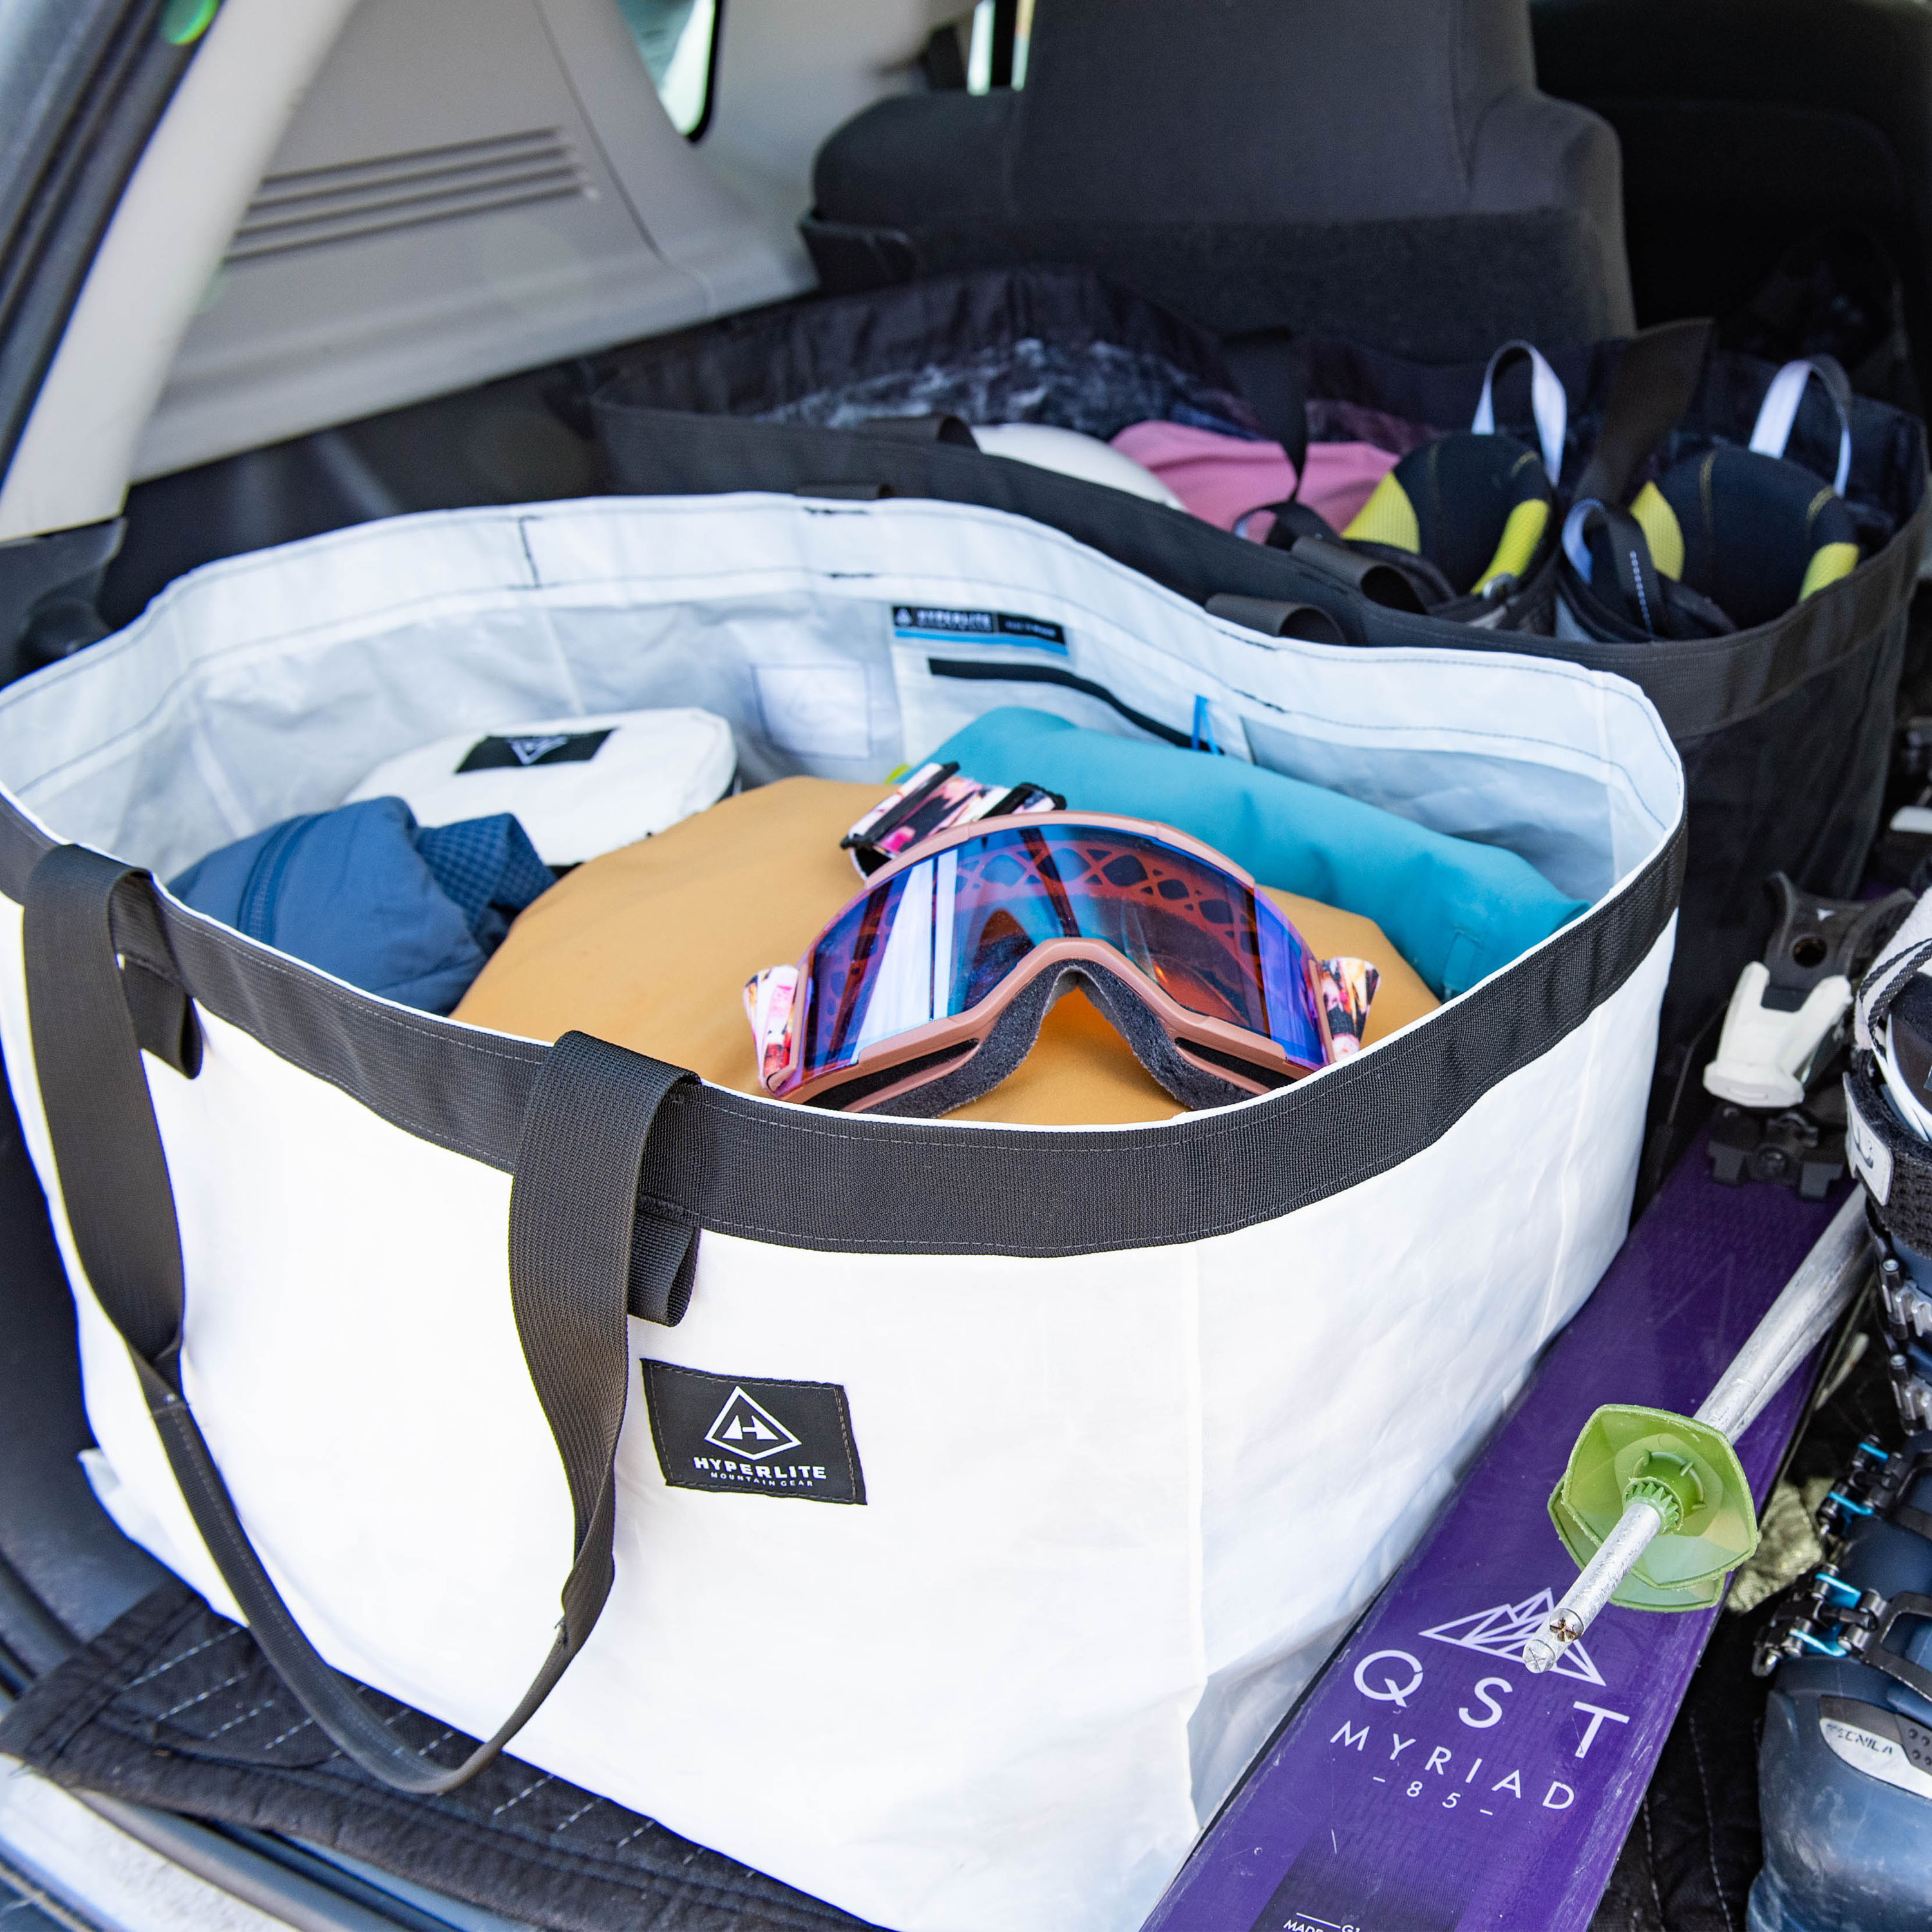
982	1643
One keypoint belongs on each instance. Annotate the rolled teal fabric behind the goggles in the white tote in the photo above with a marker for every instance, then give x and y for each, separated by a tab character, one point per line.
1454	909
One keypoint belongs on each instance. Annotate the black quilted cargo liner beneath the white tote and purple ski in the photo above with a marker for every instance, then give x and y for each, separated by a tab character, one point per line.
175	1707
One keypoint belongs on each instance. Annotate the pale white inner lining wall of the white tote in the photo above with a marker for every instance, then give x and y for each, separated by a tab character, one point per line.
275	683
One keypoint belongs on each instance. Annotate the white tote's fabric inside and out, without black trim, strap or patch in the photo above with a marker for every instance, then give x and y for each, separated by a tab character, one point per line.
1118	1508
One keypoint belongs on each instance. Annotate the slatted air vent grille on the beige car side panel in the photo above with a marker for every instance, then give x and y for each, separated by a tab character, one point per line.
324	208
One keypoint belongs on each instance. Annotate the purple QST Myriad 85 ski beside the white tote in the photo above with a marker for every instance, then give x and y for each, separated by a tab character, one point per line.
1429	1782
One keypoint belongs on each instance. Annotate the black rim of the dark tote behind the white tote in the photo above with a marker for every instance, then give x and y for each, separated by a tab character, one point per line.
666	430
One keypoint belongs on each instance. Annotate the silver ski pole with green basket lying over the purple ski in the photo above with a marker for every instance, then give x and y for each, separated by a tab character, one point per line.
1684	1483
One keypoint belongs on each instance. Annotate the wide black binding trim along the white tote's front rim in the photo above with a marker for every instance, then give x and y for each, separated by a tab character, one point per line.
865	1185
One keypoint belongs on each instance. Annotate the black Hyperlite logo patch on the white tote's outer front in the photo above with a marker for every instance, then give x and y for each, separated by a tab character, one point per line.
753	1436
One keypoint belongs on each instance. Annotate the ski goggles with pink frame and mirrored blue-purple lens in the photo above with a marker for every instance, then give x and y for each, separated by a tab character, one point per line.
930	988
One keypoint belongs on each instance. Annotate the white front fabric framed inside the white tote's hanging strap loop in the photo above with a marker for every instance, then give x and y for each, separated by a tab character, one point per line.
399	1351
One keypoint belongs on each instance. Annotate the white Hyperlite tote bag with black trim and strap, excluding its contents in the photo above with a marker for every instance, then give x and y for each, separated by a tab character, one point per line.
948	1510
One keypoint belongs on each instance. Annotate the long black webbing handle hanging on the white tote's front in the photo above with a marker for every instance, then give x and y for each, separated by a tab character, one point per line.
575	1266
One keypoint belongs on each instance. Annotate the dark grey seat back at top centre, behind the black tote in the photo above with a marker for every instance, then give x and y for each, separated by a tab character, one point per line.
1384	171
